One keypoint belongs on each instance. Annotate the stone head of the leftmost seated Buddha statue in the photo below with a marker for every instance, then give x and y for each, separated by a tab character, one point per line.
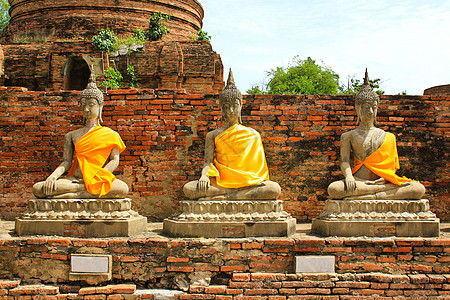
92	100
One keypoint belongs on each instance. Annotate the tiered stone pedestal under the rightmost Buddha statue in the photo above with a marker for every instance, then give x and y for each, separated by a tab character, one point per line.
377	218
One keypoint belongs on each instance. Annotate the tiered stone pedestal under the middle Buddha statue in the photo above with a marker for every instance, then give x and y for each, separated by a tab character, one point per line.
230	219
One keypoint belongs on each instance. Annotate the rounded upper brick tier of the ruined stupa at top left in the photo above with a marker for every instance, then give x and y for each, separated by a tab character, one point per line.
73	19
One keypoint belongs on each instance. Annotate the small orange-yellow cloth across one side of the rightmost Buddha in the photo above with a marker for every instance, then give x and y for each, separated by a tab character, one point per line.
384	162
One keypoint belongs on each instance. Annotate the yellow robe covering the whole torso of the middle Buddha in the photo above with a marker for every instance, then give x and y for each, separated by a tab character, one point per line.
239	159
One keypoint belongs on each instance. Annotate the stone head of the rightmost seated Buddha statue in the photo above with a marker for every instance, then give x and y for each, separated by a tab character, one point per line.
366	102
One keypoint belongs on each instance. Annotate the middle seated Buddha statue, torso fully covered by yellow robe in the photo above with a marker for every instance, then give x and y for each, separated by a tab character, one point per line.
235	166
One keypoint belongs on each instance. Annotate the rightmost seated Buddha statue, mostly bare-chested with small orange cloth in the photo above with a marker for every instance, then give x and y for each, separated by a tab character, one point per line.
376	159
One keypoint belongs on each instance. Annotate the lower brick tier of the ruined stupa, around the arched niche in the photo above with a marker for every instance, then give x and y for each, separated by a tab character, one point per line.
192	66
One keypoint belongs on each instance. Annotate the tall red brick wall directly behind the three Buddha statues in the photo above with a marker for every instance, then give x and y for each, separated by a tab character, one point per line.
164	133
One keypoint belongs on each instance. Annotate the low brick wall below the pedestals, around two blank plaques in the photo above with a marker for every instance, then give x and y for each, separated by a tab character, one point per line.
387	267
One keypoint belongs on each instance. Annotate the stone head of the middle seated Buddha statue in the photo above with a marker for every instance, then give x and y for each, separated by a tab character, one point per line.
230	100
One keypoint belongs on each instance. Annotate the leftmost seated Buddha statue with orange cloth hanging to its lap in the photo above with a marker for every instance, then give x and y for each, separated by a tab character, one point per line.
97	151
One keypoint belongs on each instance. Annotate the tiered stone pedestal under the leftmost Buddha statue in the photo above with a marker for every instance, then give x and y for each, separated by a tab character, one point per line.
81	218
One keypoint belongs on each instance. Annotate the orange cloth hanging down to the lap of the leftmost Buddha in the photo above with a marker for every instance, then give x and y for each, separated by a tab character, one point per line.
92	150
